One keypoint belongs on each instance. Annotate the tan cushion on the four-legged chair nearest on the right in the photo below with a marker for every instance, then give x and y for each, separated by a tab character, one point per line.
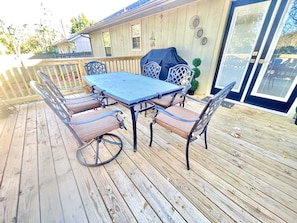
179	127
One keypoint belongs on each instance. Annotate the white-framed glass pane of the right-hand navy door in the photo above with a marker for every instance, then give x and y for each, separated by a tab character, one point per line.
278	77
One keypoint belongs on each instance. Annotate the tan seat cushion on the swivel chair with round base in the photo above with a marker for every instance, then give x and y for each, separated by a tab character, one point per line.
94	129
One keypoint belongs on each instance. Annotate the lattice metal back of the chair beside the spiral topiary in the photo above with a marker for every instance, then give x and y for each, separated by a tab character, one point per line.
181	75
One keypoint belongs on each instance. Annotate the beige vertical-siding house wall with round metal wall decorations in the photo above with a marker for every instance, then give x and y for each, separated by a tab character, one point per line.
171	29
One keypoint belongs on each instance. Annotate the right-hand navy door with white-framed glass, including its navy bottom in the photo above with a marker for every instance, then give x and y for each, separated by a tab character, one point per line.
274	84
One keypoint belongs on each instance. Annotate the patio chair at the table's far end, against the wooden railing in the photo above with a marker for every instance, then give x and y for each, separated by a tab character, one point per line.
96	67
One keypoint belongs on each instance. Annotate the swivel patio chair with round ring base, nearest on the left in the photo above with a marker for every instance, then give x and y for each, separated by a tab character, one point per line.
87	127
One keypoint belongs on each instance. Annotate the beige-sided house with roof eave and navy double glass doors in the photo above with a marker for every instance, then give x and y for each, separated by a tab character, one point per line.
236	40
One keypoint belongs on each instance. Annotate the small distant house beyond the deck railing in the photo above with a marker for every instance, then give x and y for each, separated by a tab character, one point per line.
76	43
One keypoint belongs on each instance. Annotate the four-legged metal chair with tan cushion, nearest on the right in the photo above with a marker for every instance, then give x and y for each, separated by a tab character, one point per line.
187	123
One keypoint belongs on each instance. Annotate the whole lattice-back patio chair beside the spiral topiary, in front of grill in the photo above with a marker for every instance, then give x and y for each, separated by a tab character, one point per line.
182	75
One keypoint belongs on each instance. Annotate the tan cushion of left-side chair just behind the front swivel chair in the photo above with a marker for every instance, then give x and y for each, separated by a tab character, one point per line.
81	104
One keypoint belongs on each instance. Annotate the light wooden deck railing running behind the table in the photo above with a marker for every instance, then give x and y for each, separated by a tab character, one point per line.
66	73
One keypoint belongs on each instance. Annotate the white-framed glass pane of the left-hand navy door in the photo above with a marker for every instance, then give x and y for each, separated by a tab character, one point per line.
245	28
